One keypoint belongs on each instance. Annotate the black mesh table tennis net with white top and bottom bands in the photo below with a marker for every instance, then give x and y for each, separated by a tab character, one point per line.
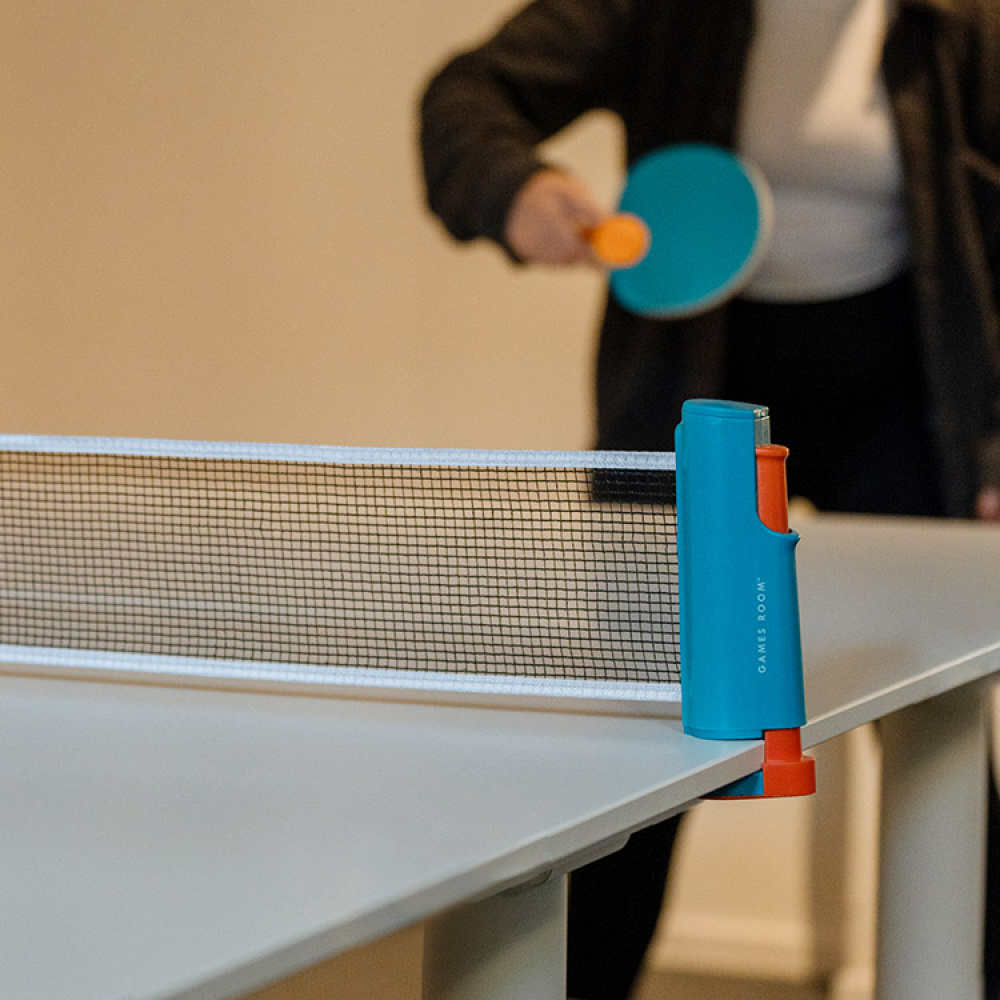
533	573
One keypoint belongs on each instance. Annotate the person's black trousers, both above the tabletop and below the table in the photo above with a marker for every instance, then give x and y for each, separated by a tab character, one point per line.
842	380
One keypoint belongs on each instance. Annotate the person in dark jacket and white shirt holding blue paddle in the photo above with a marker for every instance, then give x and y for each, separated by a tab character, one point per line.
870	330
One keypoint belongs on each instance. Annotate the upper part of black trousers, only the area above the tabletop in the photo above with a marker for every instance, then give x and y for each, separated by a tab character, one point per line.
843	382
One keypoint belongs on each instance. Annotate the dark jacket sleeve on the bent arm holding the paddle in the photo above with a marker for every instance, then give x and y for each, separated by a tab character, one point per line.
483	115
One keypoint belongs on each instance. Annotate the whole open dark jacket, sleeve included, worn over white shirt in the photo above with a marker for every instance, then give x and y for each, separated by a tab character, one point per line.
673	71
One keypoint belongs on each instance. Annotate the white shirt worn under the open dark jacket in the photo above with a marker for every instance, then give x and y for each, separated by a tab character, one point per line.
816	121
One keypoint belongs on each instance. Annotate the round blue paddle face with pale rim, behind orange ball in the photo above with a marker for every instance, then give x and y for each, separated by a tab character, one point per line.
709	217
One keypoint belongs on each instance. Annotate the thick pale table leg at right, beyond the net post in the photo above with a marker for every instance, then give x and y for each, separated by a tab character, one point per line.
932	855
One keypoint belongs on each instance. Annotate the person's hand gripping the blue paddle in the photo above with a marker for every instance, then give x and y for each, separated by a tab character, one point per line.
549	219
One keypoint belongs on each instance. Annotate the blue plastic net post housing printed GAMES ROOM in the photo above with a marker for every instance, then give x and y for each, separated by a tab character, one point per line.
741	650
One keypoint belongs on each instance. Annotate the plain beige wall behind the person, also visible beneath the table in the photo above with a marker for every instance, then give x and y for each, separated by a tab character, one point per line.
211	226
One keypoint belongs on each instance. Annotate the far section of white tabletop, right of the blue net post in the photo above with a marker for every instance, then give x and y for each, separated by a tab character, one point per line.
893	612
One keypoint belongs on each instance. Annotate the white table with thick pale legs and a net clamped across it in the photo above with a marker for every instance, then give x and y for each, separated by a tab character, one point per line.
195	843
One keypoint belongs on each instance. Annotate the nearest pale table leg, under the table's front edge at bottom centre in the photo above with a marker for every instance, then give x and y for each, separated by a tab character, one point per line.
511	946
